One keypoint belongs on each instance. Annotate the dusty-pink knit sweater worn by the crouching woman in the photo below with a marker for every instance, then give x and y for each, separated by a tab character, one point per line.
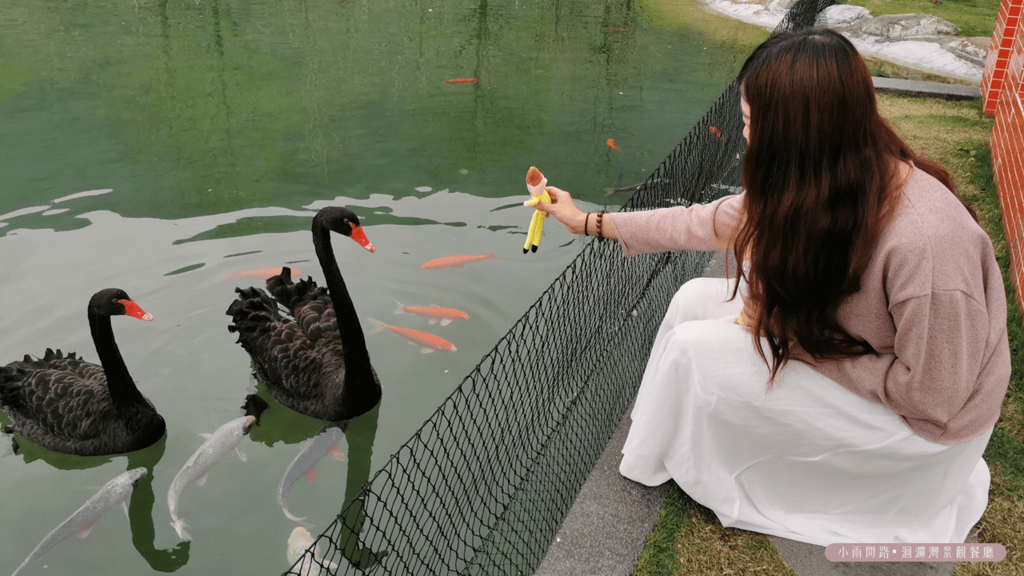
932	304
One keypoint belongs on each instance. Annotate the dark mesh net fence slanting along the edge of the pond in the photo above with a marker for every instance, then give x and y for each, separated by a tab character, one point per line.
484	486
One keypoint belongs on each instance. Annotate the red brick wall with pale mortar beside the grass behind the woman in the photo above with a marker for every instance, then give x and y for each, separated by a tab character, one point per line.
1008	143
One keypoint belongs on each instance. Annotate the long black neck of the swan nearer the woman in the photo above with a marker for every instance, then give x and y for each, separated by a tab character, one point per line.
353	342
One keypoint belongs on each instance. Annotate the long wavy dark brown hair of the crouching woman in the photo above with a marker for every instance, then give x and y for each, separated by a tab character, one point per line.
821	175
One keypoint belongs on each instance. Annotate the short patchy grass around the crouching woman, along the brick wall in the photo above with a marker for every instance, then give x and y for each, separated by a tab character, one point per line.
689	540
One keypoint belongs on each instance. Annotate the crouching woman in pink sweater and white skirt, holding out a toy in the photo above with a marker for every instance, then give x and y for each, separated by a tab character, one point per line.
848	395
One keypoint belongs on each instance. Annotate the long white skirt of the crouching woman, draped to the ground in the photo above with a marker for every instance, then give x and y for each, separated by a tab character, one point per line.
809	462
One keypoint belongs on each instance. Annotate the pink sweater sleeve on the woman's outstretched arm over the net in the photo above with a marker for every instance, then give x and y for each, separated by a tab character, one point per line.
701	227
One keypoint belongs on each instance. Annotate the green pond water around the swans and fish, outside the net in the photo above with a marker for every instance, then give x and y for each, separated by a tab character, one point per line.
158	146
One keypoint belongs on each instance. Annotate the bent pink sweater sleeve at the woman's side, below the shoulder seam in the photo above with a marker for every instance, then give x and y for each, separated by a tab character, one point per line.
940	352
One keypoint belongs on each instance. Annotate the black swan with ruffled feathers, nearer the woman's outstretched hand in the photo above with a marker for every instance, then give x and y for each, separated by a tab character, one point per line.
316	362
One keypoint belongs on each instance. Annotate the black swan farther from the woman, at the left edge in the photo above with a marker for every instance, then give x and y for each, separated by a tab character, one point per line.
75	407
